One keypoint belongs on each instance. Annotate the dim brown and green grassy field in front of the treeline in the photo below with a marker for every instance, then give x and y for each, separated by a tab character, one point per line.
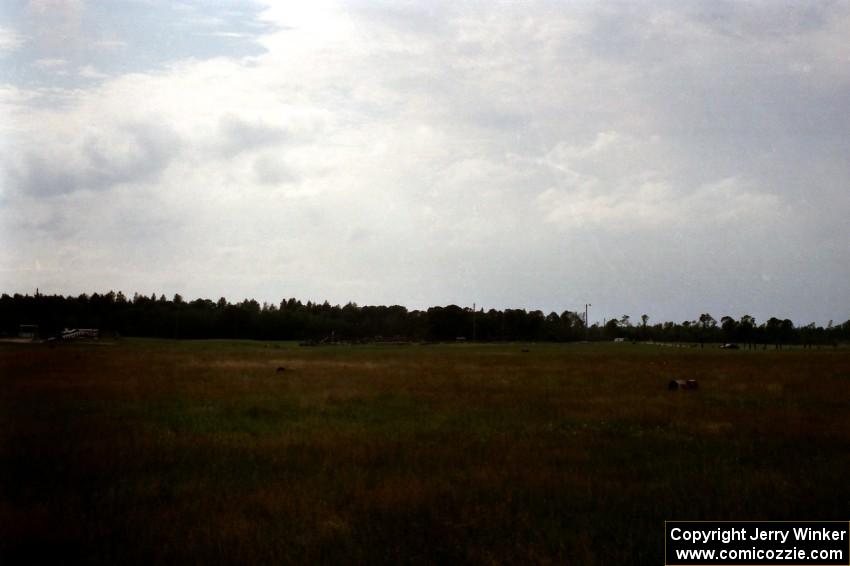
202	452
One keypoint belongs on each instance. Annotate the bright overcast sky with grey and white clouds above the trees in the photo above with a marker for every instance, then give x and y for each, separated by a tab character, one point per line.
668	158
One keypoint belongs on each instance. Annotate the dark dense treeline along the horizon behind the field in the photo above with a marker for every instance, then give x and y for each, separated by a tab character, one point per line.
293	320
